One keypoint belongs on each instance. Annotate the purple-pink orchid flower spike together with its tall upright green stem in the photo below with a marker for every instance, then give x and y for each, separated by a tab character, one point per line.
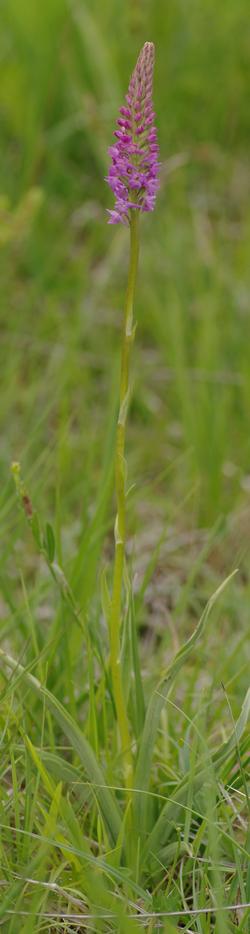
133	179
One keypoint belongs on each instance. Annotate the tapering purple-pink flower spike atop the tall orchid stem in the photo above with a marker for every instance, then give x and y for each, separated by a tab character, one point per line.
133	173
